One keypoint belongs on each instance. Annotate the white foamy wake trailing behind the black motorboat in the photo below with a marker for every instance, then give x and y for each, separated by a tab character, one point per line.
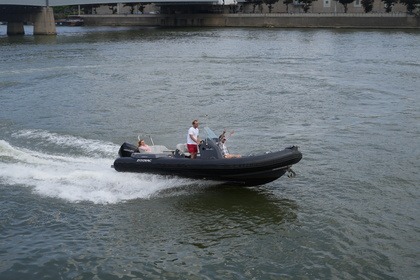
76	170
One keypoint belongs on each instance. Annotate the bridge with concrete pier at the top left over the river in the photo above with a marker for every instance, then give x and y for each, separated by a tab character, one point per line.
40	12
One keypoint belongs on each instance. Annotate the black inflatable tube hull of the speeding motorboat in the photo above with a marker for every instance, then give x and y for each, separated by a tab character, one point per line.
250	170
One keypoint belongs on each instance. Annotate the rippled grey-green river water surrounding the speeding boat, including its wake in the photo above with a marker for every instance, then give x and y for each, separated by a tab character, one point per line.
348	98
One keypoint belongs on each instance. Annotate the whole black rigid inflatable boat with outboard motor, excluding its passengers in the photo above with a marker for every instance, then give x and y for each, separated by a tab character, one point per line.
209	164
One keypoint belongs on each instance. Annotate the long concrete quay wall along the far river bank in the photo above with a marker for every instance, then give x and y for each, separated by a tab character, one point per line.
399	20
